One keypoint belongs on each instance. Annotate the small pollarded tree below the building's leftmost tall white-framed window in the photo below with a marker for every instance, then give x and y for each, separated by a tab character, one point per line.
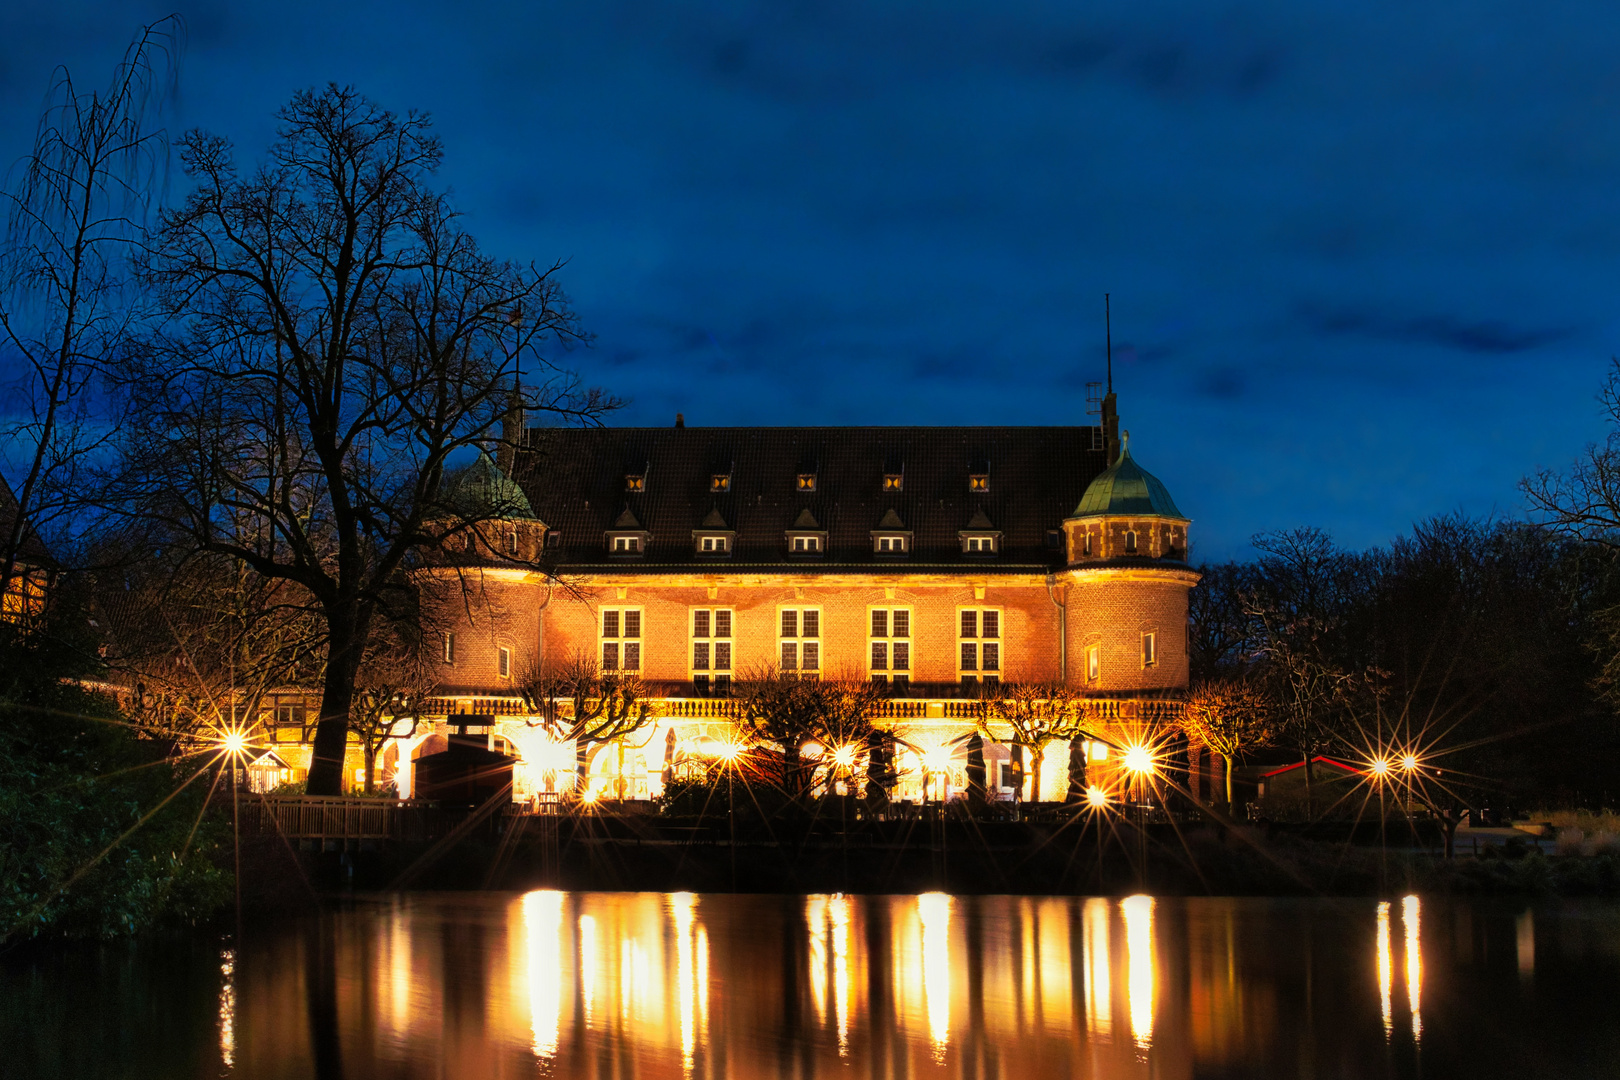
582	704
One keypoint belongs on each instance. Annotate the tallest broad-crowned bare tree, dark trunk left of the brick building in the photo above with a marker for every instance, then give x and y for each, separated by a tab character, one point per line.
335	342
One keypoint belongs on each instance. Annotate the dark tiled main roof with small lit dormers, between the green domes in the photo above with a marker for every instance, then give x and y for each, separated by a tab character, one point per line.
576	482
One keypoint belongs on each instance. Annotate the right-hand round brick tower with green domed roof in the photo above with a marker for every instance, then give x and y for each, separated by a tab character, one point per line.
1128	585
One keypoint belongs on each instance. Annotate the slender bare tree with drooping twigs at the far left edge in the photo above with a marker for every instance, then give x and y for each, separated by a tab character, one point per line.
67	308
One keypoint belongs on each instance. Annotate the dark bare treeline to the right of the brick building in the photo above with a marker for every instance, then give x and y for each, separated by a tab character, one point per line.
1478	647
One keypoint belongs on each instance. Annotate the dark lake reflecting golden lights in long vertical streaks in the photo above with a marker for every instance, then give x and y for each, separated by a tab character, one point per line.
681	985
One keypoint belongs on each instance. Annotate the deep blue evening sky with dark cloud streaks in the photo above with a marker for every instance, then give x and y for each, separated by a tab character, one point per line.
1363	257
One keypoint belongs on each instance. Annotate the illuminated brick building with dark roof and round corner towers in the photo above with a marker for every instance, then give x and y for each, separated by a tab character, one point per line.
932	559
